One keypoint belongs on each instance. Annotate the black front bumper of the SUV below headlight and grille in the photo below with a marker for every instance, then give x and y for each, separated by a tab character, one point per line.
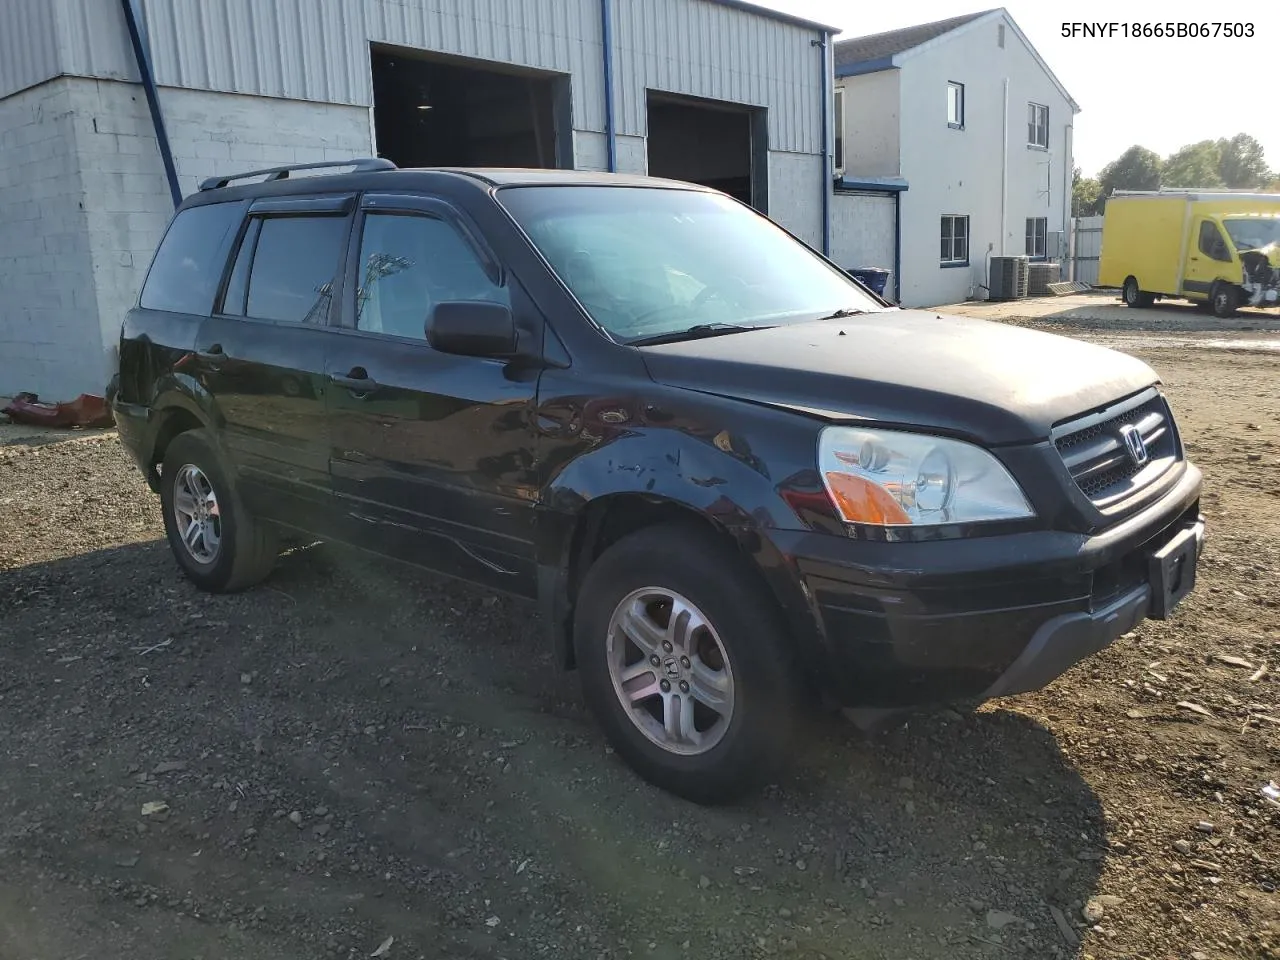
912	624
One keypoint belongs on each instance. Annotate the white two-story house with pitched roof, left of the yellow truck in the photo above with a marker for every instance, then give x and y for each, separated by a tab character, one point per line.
961	132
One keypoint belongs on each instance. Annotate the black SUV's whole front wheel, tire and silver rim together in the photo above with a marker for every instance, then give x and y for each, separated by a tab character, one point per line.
685	665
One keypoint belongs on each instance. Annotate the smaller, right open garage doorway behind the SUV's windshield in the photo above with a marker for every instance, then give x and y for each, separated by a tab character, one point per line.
711	143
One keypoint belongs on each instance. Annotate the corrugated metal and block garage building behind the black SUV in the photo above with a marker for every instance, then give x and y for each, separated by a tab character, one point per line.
715	92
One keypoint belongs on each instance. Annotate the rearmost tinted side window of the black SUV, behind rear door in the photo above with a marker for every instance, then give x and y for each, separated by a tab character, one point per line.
189	266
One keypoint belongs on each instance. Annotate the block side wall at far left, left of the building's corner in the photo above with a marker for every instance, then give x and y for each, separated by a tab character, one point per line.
47	289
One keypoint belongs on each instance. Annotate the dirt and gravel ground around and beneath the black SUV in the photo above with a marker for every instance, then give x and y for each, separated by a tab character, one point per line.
358	752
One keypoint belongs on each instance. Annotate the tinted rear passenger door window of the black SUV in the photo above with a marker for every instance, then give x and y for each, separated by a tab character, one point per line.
295	262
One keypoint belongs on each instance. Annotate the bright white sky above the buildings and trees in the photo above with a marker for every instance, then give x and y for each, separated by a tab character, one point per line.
1162	94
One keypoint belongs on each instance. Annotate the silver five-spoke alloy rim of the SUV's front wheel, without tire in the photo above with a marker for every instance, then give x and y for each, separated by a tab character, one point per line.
670	671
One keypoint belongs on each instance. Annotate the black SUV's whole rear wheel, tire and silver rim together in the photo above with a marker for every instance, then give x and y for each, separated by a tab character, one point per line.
220	546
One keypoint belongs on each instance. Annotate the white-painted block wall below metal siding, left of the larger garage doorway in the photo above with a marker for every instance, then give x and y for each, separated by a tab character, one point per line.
84	203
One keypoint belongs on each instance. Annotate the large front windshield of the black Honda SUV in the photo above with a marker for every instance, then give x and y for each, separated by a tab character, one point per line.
647	263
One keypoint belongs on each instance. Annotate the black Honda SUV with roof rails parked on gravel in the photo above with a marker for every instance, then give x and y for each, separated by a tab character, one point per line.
732	477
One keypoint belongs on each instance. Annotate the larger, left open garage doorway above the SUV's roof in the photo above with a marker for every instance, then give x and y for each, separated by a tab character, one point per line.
441	111
